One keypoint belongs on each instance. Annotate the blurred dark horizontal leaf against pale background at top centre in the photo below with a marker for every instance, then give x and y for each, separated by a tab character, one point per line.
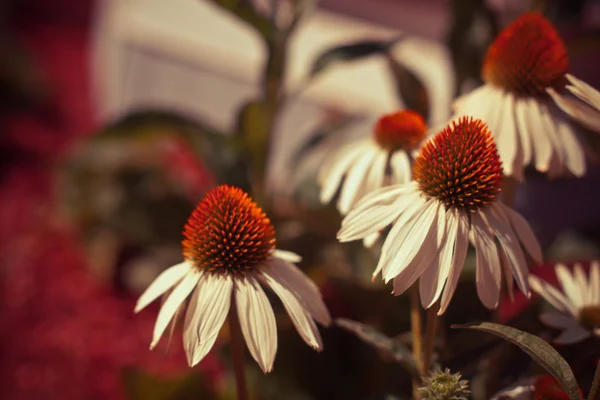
350	52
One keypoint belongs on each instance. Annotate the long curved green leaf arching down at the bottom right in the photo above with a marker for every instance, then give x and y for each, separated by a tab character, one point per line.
536	348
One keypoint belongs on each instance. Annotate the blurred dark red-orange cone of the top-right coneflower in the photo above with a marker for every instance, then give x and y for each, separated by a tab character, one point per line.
527	57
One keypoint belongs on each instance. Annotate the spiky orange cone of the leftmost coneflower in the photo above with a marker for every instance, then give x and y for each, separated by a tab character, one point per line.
228	233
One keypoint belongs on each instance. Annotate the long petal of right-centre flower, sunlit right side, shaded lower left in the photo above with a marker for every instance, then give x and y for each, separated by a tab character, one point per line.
432	281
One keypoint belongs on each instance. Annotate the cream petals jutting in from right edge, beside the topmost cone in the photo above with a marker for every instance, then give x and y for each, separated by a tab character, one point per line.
586	114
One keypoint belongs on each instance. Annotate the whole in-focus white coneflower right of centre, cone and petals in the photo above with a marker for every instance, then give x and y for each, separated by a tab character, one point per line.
452	201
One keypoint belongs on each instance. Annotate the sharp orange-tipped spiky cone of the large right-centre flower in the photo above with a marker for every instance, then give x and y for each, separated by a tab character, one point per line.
460	166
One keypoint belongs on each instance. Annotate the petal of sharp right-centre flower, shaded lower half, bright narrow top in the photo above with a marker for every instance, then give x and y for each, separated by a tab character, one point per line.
426	257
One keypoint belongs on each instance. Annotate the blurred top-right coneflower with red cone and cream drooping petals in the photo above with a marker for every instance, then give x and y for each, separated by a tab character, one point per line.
526	59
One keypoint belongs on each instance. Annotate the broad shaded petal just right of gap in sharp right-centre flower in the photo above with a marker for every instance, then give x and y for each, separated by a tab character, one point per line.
488	275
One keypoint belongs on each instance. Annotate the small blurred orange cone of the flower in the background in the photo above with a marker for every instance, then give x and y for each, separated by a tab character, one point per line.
401	130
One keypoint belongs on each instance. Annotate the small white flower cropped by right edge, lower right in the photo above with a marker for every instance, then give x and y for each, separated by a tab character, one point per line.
578	306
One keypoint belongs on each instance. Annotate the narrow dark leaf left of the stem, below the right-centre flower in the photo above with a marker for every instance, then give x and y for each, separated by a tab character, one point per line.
381	342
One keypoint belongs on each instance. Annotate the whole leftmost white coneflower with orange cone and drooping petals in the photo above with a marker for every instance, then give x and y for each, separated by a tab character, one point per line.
229	248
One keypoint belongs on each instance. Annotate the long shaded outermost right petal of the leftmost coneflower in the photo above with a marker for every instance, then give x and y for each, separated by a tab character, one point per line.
303	288
